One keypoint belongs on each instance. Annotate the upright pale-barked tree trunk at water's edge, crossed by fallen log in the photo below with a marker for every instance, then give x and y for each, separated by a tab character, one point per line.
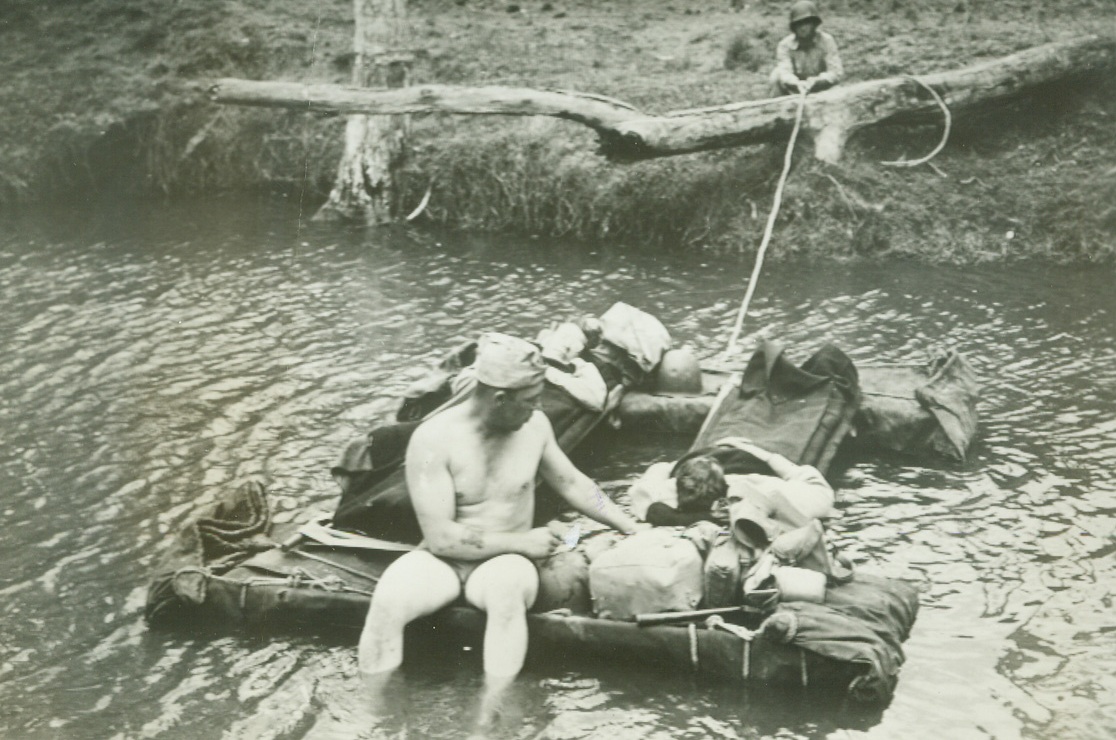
374	145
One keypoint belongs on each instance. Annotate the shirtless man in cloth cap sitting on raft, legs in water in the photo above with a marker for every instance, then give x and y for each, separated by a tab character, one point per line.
472	475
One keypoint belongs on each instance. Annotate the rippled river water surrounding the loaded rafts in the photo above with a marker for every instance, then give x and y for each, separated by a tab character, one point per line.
153	359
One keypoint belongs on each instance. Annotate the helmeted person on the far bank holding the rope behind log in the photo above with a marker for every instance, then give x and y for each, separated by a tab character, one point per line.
807	60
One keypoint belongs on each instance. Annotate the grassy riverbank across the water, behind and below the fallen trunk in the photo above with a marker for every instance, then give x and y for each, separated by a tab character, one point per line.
104	99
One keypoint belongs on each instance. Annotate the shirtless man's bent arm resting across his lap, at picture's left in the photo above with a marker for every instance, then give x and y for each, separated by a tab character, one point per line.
432	495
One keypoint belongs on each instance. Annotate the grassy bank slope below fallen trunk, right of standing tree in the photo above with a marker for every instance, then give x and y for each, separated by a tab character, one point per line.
1014	195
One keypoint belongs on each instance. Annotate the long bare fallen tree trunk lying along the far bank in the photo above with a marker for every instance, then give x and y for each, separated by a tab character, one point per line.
628	134
